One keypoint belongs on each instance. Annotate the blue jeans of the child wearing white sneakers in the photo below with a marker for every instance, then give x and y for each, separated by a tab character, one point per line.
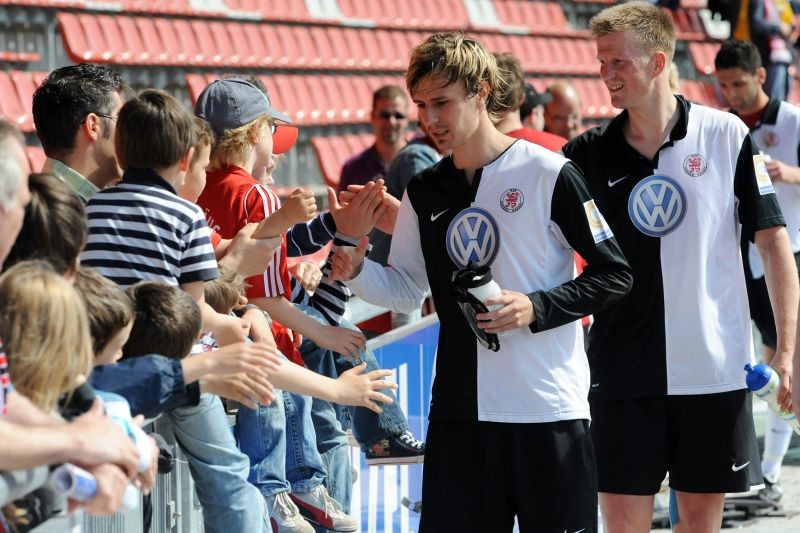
280	441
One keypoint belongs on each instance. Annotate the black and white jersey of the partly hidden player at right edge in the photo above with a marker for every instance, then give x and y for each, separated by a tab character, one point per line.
778	135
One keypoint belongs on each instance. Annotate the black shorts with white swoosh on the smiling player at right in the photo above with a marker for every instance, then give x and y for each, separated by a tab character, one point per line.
706	442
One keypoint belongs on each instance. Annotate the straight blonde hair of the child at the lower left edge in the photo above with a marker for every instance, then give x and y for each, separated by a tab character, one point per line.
45	328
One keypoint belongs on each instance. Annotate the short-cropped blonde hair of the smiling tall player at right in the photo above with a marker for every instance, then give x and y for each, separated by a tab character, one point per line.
652	27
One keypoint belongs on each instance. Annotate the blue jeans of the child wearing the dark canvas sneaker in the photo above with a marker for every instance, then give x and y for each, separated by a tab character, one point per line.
368	426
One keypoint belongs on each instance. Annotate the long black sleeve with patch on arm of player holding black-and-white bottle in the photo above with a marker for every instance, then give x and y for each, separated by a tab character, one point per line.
607	276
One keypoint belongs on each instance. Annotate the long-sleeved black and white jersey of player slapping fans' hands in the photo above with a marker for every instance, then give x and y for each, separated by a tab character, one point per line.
529	208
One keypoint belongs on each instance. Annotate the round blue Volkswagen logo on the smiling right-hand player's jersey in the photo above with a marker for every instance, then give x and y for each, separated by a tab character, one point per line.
657	205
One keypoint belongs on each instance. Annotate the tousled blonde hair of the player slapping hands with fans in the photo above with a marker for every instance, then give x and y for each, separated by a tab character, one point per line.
454	57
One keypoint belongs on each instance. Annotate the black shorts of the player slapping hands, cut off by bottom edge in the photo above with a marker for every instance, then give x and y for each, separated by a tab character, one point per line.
479	475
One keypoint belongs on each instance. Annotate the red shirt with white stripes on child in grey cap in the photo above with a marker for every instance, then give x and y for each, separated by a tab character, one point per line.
233	198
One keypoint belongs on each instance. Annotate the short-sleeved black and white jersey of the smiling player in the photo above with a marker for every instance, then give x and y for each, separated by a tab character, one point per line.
685	326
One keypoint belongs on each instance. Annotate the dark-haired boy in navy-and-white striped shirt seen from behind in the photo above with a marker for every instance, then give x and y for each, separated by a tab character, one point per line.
140	229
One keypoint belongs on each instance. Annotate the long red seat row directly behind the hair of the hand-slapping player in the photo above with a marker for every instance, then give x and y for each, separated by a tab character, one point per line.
151	41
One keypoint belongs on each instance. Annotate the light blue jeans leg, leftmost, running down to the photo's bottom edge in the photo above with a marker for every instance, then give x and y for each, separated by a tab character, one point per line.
218	468
